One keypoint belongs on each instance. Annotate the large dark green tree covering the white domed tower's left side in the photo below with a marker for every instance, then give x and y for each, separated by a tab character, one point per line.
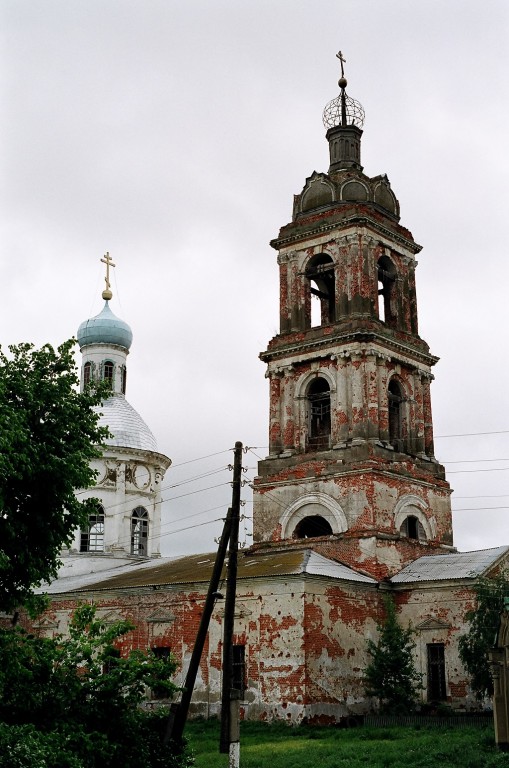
48	434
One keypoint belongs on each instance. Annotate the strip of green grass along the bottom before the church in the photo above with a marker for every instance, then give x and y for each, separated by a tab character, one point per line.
281	746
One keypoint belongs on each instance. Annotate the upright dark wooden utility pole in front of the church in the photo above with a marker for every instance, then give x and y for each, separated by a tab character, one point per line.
230	699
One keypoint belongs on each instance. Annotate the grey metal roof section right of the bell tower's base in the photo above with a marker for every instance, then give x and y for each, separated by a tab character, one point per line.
456	565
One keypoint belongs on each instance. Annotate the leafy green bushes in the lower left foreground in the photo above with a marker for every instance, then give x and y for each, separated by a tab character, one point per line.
75	703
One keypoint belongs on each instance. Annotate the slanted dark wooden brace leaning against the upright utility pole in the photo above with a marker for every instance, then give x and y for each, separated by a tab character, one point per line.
178	714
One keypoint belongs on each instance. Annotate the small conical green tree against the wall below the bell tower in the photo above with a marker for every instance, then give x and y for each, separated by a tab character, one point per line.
391	675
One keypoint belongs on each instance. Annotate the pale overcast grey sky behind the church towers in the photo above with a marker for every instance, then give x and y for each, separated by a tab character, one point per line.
173	134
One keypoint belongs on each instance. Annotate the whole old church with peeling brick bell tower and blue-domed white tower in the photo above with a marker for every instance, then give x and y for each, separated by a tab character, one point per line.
350	503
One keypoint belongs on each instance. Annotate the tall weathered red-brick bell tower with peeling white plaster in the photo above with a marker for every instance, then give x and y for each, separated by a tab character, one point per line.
351	467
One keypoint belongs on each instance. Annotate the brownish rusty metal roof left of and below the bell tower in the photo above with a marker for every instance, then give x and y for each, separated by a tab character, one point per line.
196	569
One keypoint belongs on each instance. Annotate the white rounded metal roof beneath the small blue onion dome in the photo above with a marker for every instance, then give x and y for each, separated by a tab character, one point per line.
127	428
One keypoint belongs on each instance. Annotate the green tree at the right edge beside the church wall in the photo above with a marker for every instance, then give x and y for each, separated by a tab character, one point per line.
484	619
